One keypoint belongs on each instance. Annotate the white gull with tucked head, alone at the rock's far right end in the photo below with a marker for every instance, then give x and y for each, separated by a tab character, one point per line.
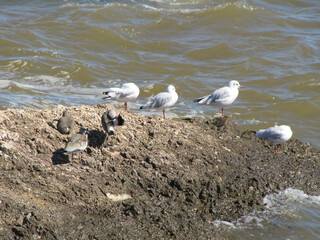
276	135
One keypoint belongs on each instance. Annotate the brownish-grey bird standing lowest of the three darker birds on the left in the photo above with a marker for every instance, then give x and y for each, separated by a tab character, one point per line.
78	142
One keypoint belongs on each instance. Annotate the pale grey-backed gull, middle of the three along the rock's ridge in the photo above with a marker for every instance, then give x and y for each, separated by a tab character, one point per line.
163	100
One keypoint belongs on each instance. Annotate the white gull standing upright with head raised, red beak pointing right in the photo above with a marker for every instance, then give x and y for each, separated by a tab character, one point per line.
222	97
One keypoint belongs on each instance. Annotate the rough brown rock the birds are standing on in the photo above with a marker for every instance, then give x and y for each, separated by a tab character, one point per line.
155	179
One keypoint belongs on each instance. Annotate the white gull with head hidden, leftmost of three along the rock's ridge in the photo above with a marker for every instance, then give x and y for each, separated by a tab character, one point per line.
126	93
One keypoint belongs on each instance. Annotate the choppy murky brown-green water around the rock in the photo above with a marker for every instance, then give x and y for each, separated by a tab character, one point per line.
67	52
